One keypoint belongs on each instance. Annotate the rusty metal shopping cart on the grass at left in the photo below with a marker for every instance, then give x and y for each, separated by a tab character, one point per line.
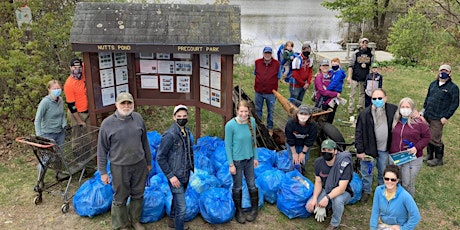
67	160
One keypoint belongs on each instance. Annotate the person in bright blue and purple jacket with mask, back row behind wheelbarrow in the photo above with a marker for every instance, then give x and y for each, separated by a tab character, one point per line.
337	77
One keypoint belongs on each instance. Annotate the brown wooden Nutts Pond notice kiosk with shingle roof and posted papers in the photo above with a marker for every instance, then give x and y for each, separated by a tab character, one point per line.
163	54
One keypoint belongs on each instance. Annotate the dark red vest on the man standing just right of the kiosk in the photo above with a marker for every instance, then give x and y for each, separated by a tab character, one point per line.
266	76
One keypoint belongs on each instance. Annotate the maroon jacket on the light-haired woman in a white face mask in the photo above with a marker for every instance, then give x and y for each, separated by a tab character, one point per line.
418	134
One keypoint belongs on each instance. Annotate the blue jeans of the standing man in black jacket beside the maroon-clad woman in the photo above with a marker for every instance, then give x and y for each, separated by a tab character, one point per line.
382	162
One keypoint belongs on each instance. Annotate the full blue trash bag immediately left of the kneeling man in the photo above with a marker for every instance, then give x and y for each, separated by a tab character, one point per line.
294	193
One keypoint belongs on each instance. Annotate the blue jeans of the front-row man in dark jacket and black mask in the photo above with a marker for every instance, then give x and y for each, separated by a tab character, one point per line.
178	205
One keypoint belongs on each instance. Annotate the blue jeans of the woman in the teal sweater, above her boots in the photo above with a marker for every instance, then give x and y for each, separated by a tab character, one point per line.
245	167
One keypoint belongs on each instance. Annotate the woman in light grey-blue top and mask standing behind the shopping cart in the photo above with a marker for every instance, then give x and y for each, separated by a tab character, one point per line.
50	121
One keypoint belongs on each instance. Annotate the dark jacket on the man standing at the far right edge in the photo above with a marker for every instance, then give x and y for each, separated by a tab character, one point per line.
441	101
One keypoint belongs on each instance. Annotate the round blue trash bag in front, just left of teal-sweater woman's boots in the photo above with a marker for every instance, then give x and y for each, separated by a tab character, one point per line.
216	206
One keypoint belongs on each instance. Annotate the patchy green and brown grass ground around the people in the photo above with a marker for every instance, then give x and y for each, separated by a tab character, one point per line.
438	189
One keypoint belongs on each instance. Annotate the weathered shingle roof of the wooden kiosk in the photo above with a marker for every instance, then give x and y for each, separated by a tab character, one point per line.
156	24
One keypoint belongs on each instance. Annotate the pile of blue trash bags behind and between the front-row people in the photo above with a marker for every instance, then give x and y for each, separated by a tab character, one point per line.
209	190
